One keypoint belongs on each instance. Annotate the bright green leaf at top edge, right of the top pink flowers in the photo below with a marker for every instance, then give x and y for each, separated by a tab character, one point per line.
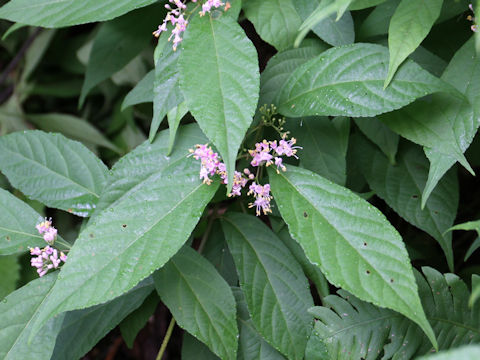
276	21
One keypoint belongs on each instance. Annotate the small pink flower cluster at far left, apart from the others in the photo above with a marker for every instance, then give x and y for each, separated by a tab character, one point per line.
48	257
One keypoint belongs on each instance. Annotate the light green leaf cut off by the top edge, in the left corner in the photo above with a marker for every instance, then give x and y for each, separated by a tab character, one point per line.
62	13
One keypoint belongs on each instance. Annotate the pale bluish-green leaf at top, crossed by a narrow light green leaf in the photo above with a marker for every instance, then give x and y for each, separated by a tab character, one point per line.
333	32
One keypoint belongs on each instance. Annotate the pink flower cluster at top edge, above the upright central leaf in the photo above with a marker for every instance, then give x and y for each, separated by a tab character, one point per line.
176	16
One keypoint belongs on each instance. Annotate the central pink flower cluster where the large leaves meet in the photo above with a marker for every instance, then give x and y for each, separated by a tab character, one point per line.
265	153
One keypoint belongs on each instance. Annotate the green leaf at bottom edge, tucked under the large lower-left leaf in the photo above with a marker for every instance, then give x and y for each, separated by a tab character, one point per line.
200	300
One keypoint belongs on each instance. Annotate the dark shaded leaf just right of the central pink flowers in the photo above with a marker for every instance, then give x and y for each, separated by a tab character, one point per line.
323	151
